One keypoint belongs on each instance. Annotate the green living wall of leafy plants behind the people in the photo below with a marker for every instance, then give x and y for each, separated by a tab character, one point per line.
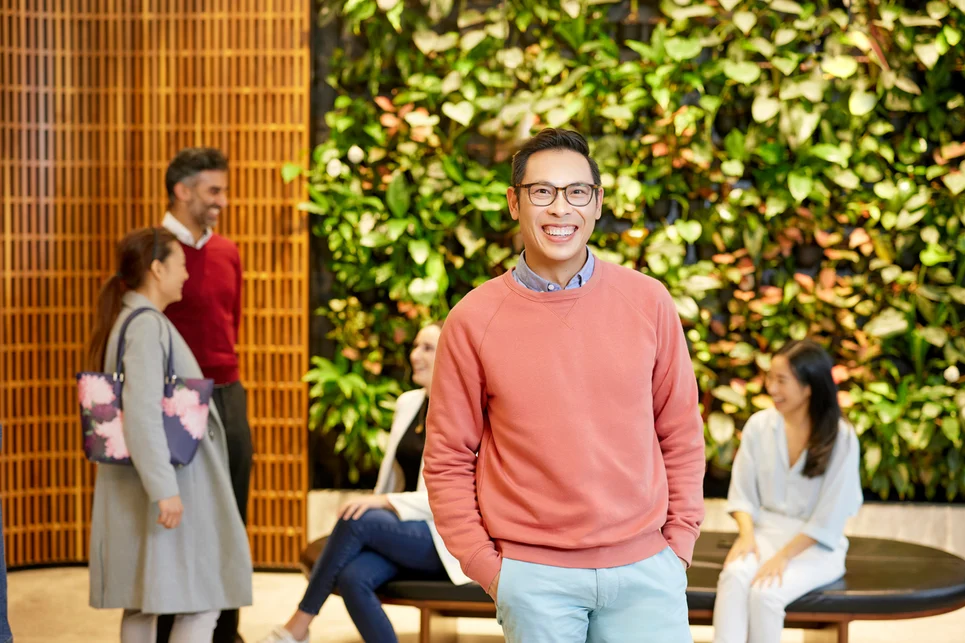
786	168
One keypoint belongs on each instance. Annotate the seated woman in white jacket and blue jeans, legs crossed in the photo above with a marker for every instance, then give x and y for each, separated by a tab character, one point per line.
380	536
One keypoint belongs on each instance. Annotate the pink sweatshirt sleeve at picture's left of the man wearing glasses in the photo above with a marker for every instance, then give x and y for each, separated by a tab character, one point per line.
455	429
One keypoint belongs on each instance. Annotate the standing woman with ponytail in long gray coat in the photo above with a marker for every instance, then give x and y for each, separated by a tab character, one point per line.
164	539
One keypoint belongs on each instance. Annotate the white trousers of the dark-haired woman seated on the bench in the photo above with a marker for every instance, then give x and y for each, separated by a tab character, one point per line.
745	614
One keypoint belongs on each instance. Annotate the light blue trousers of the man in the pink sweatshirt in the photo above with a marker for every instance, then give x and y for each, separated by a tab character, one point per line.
645	601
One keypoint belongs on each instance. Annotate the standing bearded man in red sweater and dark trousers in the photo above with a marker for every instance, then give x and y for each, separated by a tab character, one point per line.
209	315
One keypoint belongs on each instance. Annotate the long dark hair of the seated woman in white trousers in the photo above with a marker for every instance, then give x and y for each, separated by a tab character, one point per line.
812	366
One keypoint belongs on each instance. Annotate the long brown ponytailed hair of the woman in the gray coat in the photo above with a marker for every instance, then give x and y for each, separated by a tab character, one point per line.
135	254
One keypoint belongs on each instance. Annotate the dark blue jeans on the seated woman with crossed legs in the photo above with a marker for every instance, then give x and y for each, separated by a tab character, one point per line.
359	557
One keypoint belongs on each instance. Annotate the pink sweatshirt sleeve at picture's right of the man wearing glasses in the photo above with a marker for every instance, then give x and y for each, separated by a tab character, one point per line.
680	430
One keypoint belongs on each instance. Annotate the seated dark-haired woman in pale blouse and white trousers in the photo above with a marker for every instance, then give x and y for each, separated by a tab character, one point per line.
795	483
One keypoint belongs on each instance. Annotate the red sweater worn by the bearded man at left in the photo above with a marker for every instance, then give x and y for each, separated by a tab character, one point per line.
209	313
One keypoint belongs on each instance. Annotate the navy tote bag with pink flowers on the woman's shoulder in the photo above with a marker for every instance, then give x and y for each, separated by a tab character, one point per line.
184	409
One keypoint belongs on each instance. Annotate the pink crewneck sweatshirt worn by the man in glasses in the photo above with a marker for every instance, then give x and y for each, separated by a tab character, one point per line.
582	407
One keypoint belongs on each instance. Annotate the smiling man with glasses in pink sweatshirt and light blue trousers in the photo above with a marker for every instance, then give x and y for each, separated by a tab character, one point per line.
571	379
